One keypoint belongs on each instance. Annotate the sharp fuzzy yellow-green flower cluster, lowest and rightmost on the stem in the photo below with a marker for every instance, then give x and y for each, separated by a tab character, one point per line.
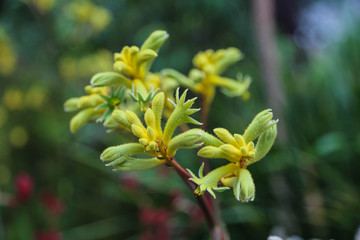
241	151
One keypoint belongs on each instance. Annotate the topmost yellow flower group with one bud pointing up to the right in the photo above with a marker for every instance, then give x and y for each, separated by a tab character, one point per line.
132	66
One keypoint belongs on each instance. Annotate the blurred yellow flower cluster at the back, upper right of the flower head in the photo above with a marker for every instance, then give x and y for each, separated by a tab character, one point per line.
206	76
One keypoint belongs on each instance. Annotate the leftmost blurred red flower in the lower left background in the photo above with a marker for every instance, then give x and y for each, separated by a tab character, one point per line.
24	186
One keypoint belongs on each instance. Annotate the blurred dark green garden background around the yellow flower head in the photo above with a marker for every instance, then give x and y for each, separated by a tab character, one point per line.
52	183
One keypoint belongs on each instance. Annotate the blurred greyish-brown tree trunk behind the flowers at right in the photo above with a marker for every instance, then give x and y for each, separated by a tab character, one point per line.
263	13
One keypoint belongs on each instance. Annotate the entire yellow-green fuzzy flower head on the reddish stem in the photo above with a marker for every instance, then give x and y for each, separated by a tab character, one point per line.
107	102
